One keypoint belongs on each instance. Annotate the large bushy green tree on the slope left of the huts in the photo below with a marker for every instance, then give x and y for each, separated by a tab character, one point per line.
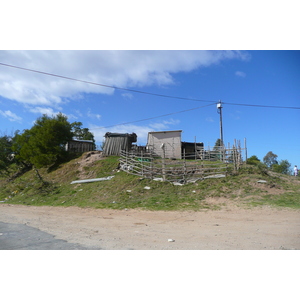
43	144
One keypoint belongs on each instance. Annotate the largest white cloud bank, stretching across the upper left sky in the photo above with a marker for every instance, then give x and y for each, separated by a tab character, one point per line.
115	68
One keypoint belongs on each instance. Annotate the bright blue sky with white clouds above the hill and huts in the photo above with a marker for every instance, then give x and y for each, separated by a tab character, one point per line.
270	78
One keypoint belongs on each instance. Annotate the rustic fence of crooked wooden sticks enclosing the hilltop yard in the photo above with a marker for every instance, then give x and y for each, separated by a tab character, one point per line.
192	167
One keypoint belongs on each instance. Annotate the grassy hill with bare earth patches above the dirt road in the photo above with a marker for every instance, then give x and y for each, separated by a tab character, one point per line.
128	191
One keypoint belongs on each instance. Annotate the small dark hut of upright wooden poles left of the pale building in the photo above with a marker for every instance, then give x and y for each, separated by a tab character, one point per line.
115	142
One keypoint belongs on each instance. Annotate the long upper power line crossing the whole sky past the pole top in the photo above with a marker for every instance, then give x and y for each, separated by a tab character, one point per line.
142	92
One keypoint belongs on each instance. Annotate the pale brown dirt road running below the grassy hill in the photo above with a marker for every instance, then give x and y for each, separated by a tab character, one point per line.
230	228
